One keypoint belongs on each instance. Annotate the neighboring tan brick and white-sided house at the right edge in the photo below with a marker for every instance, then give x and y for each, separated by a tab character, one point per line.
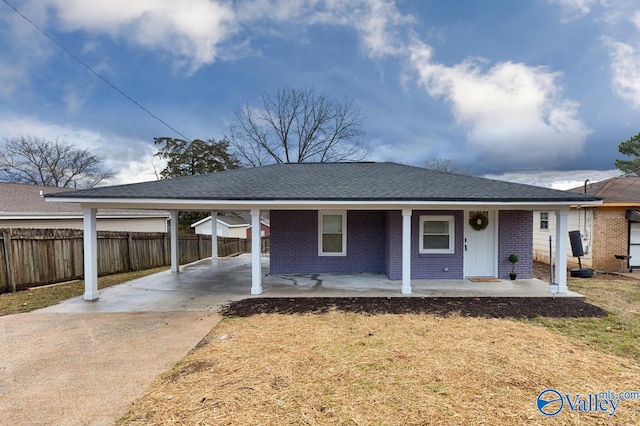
610	229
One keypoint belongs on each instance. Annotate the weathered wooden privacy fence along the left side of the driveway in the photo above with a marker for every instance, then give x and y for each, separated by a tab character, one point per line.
32	257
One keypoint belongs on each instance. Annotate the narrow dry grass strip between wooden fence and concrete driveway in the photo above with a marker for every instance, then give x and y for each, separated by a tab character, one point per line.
41	297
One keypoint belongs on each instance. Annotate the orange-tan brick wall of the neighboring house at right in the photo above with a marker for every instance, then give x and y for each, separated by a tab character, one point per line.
610	237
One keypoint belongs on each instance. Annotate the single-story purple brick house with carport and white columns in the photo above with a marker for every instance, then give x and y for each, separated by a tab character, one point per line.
406	222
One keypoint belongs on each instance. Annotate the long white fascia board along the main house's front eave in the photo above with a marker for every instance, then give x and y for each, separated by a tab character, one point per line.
204	205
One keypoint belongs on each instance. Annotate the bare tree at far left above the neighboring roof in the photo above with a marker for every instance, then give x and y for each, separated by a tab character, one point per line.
33	160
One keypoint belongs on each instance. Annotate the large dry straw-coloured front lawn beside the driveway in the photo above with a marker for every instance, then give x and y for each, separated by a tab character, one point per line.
338	368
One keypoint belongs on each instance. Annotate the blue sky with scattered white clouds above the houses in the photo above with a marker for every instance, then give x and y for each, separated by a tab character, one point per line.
538	91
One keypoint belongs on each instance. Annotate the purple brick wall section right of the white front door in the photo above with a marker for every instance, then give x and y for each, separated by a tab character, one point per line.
515	236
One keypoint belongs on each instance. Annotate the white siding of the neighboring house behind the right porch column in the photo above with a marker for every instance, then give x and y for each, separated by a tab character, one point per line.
577	222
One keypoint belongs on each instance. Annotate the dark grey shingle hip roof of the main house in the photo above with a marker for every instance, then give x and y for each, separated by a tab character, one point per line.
332	182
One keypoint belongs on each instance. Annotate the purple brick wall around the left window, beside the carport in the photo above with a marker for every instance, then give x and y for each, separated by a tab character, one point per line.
294	243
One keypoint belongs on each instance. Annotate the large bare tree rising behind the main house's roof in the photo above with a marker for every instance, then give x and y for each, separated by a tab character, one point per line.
295	126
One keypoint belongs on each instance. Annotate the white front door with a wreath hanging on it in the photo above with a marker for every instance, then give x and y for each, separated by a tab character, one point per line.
480	251
